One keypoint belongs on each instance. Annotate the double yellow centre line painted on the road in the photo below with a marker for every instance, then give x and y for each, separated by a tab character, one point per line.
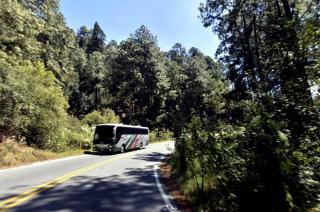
30	193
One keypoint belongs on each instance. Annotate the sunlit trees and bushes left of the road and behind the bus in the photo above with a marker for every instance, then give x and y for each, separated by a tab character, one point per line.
56	84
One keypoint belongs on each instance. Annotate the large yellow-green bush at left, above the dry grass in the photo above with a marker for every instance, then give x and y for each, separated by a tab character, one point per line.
34	108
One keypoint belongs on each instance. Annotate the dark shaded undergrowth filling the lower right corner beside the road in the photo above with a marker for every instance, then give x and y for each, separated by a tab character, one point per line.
241	168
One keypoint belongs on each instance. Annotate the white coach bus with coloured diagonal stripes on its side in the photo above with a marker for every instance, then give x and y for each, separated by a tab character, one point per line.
119	137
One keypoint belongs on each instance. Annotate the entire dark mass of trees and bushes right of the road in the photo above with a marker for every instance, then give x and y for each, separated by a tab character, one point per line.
259	150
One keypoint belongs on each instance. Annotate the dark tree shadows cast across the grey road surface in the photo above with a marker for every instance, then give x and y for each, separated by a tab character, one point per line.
134	190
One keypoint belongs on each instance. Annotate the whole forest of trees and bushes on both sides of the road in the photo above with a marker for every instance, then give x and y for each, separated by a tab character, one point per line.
246	124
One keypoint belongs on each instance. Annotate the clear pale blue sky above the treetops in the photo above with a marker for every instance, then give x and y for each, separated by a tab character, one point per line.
171	21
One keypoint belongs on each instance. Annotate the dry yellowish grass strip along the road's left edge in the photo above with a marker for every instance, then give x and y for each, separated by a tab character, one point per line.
14	154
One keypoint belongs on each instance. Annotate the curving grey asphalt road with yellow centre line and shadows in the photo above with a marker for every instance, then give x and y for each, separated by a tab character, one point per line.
119	182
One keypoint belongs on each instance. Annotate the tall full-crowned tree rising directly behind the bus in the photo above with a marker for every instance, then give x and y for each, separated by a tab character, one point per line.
139	79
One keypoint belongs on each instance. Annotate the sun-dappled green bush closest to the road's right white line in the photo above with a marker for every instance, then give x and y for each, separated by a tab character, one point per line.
210	164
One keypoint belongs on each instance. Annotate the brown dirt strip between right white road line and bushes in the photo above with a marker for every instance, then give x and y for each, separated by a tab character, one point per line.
172	187
